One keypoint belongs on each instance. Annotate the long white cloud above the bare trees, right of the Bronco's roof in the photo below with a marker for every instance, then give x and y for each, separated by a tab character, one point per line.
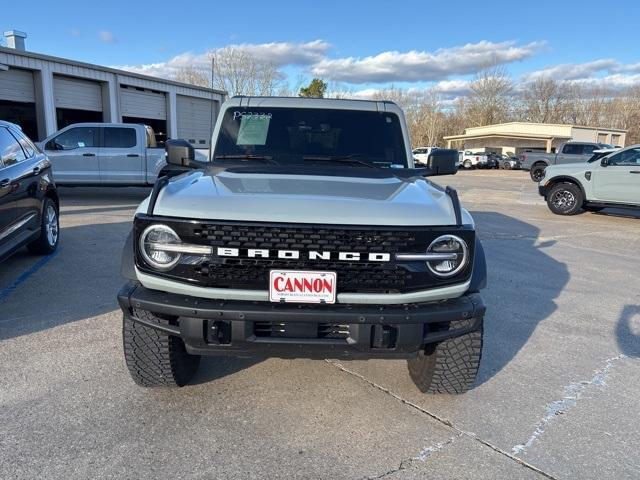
416	66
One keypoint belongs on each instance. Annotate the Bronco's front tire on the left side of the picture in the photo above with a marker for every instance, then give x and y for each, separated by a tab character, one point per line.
154	358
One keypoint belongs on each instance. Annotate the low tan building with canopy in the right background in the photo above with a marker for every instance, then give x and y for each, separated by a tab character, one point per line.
515	137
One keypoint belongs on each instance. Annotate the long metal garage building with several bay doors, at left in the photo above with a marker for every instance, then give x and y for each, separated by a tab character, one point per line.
43	94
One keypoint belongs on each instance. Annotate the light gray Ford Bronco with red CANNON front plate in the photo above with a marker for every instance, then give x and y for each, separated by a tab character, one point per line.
310	235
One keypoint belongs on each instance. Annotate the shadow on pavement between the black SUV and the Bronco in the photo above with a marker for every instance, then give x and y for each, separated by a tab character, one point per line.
81	281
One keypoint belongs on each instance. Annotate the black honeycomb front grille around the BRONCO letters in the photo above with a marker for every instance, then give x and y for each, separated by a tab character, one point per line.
361	276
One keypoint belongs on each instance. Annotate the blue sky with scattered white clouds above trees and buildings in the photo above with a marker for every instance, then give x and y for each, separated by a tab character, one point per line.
360	45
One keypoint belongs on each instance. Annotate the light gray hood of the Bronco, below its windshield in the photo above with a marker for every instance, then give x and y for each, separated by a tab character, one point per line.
314	199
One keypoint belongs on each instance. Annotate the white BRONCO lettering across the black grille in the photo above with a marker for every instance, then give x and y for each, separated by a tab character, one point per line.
296	255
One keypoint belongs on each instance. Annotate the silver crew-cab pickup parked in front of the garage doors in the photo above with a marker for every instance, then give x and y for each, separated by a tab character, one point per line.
104	154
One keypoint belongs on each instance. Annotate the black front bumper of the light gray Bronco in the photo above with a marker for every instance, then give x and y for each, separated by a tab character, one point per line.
219	327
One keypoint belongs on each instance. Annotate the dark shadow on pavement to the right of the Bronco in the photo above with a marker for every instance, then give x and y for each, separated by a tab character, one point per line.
523	283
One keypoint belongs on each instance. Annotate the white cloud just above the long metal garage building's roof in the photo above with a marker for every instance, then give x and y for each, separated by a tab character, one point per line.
278	53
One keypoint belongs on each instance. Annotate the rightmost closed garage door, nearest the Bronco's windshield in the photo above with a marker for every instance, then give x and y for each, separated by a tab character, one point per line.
194	120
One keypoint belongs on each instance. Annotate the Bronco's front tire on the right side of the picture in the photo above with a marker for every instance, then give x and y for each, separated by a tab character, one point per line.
450	366
